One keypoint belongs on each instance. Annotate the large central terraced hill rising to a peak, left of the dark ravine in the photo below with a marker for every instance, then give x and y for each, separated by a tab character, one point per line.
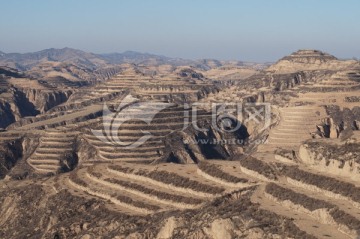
73	133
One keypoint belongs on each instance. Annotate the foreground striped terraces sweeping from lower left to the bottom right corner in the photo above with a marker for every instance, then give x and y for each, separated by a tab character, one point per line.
322	211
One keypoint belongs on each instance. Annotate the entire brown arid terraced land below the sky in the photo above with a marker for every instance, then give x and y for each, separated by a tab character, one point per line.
73	165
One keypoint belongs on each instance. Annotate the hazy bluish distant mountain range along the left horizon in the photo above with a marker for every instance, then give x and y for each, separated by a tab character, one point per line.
25	61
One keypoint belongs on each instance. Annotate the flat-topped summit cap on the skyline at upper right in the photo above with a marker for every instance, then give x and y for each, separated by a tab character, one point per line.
309	57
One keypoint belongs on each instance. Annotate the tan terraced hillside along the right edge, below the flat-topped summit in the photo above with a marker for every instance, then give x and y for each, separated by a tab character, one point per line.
302	115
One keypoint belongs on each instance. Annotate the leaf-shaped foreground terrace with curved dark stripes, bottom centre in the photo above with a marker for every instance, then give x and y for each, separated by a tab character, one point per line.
160	187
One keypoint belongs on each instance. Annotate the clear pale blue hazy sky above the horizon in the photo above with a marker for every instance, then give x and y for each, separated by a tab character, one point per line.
254	30
